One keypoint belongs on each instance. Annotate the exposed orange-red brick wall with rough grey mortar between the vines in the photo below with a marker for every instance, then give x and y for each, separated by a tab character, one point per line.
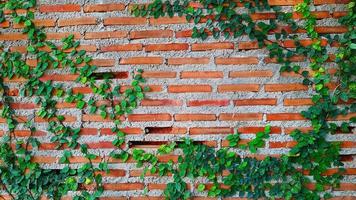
201	89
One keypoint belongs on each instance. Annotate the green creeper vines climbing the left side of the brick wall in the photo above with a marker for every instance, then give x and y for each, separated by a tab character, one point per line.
23	178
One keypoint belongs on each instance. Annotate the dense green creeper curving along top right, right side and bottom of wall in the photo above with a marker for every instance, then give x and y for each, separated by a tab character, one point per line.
227	172
